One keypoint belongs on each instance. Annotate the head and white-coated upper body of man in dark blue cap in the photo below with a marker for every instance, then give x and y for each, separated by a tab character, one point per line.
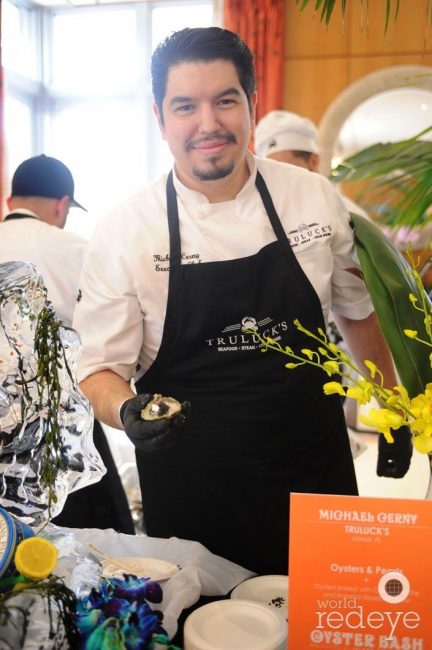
42	194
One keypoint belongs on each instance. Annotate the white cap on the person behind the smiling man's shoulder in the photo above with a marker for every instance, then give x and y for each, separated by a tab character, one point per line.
285	131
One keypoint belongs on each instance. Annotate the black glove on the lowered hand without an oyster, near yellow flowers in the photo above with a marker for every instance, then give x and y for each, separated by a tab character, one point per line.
394	457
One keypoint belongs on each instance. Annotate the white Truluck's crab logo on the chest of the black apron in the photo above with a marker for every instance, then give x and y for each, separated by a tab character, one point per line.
233	338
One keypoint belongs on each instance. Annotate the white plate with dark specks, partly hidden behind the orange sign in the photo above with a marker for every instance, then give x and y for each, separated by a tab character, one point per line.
269	590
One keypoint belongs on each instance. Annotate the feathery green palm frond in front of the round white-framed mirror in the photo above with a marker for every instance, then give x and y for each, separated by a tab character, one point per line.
396	180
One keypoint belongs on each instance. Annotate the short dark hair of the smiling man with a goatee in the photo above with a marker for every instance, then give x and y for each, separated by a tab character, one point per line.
201	44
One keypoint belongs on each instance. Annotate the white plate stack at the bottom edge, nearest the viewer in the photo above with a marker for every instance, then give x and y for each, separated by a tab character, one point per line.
234	625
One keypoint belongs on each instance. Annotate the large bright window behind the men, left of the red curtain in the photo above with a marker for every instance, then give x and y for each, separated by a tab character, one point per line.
85	95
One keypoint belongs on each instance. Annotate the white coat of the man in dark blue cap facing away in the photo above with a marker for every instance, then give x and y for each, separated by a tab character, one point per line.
57	254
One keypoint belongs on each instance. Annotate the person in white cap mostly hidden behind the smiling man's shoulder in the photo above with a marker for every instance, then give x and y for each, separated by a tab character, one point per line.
292	138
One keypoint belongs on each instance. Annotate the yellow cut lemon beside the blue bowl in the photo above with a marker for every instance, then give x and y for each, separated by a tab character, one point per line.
36	558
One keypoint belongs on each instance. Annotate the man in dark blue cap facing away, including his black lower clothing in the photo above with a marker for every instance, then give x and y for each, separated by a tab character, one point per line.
33	231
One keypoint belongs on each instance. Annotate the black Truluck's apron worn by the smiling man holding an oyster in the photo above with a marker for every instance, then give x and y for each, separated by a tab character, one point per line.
257	431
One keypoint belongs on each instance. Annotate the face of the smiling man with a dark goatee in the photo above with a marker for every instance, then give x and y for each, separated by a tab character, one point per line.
206	119
